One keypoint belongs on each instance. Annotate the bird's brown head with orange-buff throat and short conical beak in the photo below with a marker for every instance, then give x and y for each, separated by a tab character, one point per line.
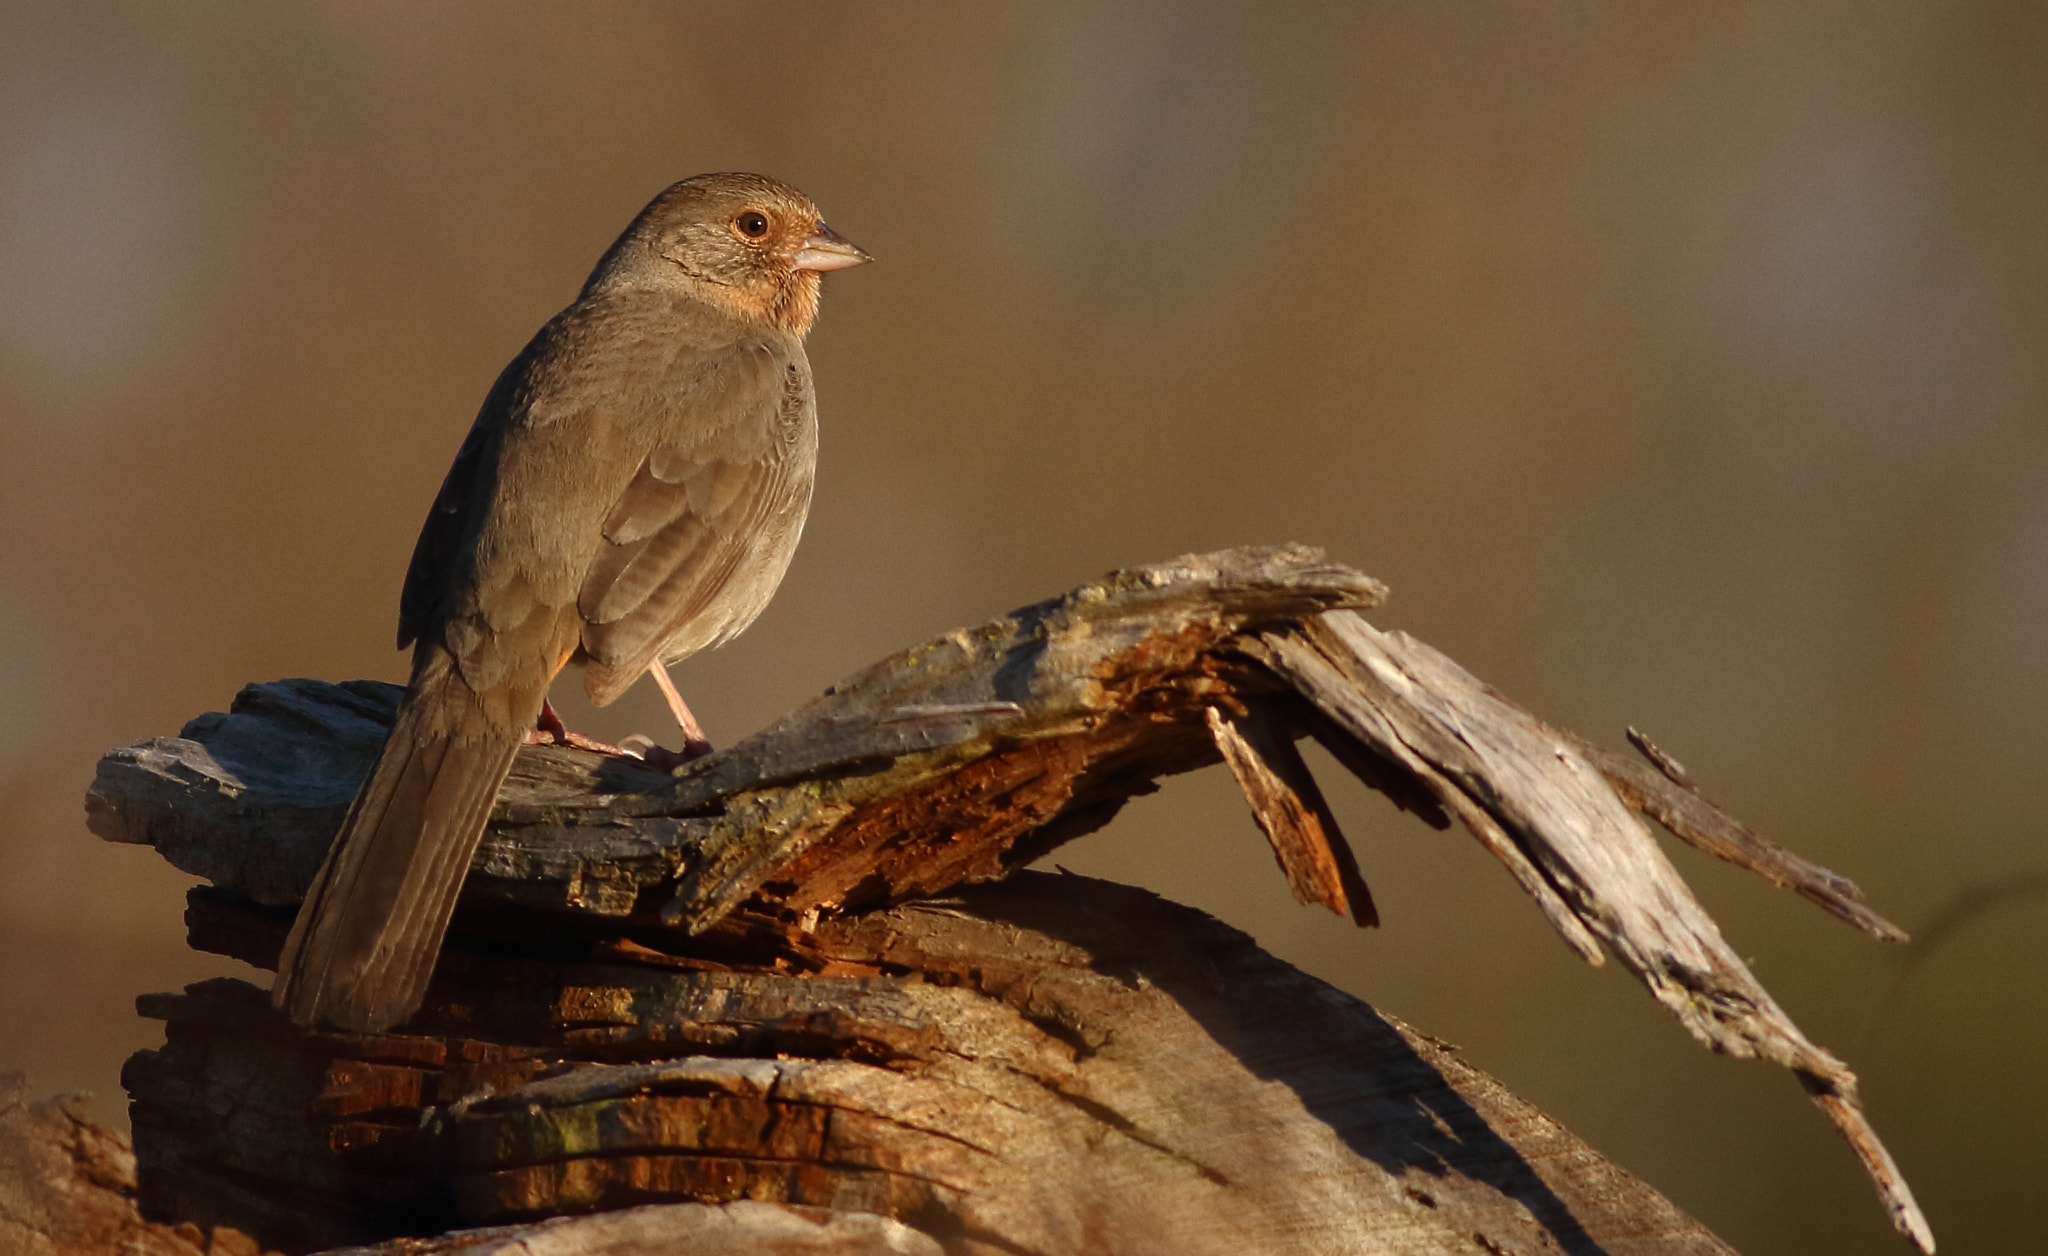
744	243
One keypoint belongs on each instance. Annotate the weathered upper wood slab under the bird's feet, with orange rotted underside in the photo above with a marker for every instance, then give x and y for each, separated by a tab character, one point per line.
925	771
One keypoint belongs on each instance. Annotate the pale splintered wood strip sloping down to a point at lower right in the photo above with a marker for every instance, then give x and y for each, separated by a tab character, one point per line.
1531	796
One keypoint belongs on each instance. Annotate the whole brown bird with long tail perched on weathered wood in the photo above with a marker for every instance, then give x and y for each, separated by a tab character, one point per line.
630	495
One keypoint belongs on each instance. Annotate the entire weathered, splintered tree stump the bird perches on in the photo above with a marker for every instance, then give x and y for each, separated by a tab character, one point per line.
800	997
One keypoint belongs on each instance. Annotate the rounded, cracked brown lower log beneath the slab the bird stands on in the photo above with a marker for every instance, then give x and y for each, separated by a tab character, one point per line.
1054	1064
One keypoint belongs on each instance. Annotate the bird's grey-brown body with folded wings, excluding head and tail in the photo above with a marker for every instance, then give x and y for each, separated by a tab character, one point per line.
644	487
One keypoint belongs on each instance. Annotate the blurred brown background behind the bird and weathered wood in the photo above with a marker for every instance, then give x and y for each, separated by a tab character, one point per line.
1678	366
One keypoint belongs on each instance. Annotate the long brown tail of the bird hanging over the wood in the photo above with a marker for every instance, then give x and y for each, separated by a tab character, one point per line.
366	941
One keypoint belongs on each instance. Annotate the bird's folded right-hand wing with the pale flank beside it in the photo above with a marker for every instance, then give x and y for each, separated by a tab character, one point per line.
697	540
